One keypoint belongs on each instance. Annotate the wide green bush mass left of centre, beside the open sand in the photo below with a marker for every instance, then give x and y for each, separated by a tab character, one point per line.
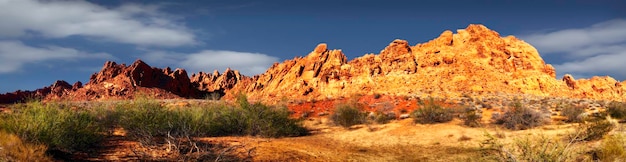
146	118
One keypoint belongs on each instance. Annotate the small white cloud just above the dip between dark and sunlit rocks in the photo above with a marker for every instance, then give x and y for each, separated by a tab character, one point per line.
209	60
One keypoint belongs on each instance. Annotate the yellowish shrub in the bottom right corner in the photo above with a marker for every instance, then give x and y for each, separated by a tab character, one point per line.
612	148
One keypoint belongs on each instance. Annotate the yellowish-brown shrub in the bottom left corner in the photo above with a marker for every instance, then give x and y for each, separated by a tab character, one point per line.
12	148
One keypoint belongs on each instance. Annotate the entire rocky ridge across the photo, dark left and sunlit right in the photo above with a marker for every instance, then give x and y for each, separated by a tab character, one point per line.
474	61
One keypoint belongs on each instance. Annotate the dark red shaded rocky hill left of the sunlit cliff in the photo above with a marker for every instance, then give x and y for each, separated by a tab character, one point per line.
115	81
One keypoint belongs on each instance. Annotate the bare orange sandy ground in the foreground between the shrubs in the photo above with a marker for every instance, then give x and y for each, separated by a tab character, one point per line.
399	140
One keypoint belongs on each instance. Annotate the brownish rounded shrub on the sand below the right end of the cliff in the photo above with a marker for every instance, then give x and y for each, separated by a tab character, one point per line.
518	117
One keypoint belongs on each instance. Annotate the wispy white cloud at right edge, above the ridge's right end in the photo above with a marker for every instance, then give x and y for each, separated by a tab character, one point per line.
599	49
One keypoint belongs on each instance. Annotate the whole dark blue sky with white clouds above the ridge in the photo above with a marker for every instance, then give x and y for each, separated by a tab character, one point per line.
42	41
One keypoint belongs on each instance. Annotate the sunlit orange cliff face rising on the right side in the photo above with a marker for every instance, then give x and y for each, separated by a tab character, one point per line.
475	60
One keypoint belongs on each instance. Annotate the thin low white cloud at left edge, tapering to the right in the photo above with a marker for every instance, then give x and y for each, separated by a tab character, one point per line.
14	55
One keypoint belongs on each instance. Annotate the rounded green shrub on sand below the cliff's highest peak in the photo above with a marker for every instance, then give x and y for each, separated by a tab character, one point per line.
432	113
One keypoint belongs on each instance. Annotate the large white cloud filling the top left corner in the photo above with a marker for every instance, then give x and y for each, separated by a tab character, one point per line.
129	23
